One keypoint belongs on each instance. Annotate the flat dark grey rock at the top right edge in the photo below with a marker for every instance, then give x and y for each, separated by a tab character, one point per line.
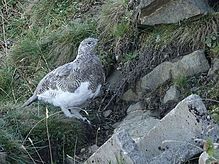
170	11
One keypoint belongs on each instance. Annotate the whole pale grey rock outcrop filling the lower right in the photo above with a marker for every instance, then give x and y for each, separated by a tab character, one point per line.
174	139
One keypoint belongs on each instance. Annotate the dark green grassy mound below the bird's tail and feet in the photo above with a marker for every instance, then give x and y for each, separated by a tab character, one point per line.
18	125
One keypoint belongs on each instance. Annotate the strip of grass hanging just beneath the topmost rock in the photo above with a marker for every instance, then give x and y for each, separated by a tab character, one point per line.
191	33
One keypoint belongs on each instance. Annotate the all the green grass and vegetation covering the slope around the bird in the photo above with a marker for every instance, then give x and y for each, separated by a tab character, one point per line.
46	34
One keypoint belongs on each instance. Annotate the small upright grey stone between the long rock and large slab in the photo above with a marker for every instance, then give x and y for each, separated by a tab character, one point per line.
172	94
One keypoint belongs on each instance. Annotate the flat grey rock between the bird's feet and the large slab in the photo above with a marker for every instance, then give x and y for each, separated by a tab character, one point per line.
137	123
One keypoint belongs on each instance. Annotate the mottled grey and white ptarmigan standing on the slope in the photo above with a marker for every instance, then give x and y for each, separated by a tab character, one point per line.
71	85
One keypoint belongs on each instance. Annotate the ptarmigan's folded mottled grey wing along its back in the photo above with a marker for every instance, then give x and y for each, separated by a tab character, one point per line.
58	79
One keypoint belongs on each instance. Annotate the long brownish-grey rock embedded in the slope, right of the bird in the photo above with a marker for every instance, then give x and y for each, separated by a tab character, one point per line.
189	65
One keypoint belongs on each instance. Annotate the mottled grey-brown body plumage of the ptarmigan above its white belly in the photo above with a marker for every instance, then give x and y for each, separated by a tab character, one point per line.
69	76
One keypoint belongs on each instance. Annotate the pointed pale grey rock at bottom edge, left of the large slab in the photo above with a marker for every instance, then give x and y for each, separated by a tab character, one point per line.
120	147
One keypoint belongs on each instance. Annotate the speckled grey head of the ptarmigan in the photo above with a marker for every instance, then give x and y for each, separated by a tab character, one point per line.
87	46
